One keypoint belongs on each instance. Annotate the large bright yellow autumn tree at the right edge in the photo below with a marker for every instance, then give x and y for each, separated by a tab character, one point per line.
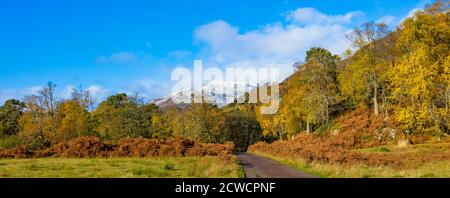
420	78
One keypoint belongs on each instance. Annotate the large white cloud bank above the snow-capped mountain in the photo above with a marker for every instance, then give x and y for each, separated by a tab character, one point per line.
280	43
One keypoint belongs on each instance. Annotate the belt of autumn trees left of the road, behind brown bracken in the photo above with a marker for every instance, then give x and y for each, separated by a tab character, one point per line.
41	120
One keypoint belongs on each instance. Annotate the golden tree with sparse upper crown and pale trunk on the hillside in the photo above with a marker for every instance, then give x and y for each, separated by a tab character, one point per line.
363	78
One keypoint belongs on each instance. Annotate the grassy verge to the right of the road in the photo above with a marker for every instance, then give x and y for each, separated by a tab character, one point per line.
438	169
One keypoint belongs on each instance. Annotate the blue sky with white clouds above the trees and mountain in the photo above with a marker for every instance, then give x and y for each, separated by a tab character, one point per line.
132	46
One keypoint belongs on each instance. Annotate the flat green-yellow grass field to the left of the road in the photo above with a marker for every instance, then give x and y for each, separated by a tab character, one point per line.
181	167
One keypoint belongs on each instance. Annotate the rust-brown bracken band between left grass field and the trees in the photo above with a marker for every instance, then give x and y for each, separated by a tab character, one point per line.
89	147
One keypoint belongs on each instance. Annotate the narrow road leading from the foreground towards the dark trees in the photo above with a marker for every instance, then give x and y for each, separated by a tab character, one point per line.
260	167
